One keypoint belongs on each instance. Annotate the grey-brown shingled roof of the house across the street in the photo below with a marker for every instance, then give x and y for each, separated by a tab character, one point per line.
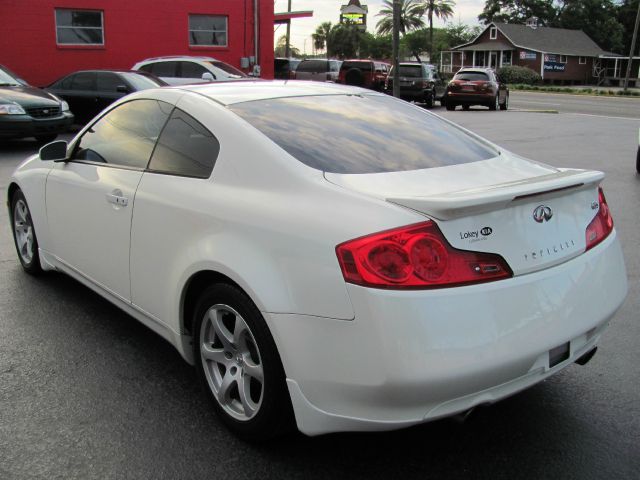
545	39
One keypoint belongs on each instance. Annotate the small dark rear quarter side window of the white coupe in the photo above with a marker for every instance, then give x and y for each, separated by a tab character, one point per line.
185	148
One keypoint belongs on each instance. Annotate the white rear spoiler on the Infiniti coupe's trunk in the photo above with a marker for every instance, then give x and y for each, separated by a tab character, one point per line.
495	197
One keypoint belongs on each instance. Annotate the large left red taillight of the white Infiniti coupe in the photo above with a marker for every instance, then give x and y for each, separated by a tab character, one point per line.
416	257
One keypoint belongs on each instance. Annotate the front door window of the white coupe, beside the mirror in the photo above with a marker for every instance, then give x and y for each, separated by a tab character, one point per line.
125	136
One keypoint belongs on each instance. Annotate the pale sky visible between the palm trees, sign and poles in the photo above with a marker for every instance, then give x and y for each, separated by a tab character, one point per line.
466	11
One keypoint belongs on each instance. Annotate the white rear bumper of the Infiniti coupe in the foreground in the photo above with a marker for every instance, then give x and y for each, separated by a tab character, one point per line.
410	357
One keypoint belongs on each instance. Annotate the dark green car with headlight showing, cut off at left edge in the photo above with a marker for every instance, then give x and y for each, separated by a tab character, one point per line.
27	111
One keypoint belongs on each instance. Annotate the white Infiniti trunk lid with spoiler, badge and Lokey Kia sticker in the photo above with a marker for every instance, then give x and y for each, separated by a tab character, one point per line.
534	215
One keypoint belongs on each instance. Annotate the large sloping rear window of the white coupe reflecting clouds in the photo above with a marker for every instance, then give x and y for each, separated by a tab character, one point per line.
361	134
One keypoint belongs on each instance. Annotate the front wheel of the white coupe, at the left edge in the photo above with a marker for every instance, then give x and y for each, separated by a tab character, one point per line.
24	234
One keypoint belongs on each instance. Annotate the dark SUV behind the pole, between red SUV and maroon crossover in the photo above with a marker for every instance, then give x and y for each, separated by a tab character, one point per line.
419	82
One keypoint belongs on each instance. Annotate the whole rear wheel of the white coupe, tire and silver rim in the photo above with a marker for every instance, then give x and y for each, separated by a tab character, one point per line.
233	348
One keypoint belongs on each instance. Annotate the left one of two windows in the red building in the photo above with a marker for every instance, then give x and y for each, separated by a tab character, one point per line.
79	27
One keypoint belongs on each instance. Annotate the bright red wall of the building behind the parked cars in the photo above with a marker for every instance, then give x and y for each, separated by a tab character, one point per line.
133	30
